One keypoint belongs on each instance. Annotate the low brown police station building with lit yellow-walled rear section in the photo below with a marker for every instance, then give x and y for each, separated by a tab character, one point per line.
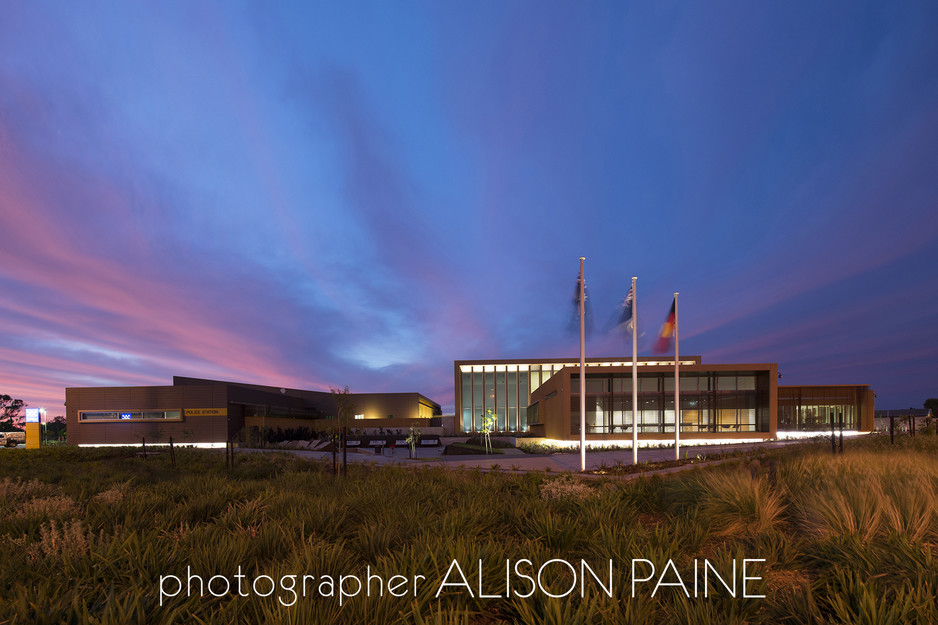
199	411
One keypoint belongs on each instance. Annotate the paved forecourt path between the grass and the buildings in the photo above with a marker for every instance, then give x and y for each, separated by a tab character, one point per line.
519	461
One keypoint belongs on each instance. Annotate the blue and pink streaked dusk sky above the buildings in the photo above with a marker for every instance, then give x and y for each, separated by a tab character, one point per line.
332	194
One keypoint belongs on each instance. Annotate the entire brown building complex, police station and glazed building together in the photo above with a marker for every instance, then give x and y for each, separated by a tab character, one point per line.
539	397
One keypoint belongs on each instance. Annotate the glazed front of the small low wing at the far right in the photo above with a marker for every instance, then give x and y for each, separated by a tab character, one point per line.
807	409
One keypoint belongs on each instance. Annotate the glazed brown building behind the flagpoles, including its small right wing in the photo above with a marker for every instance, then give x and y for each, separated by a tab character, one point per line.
727	401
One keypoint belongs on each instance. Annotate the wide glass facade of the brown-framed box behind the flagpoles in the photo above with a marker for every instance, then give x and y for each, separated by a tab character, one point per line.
714	402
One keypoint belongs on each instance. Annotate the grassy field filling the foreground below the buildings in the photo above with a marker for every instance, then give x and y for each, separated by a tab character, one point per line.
104	536
